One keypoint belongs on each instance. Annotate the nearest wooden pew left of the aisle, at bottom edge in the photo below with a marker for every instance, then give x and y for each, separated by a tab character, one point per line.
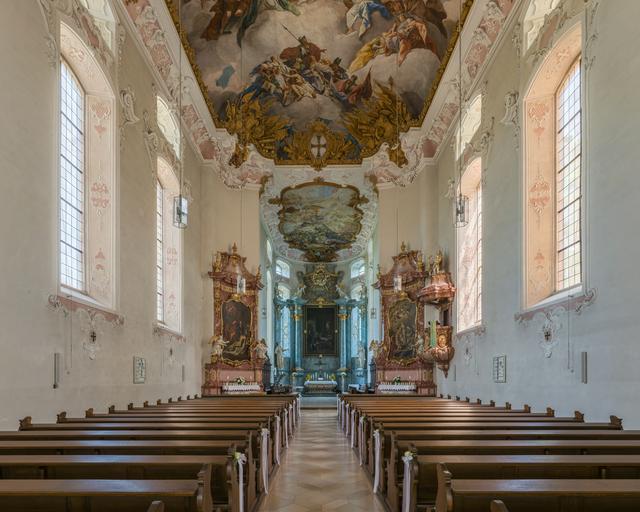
101	495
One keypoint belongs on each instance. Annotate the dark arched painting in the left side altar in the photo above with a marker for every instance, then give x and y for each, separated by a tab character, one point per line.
236	331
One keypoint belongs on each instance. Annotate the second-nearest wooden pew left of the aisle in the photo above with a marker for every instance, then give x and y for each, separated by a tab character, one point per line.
219	473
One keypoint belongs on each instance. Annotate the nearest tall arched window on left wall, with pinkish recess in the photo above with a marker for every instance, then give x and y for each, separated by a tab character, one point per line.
86	175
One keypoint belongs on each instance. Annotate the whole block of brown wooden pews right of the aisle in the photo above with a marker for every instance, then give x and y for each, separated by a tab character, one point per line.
453	455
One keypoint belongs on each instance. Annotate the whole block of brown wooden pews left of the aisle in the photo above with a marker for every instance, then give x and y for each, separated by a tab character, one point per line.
196	455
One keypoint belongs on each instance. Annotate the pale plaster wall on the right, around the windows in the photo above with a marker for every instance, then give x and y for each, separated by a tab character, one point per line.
606	330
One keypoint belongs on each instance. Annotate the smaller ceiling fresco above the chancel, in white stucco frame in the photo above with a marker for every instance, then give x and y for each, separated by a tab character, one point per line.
320	218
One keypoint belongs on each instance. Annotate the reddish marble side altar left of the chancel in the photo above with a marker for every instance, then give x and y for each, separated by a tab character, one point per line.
238	357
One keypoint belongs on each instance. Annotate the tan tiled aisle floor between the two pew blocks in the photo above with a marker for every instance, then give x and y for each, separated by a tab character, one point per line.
320	472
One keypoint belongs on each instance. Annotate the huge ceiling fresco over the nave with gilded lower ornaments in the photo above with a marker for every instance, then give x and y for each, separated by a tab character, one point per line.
318	82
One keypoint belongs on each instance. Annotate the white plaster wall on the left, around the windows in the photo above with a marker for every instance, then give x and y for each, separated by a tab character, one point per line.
30	331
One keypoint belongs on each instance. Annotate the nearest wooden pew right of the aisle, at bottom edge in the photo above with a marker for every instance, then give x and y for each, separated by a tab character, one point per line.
527	495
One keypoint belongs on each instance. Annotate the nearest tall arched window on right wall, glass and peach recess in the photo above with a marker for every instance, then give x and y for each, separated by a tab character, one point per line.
553	181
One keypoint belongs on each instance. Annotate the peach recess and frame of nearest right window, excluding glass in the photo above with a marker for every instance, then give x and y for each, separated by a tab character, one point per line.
538	287
